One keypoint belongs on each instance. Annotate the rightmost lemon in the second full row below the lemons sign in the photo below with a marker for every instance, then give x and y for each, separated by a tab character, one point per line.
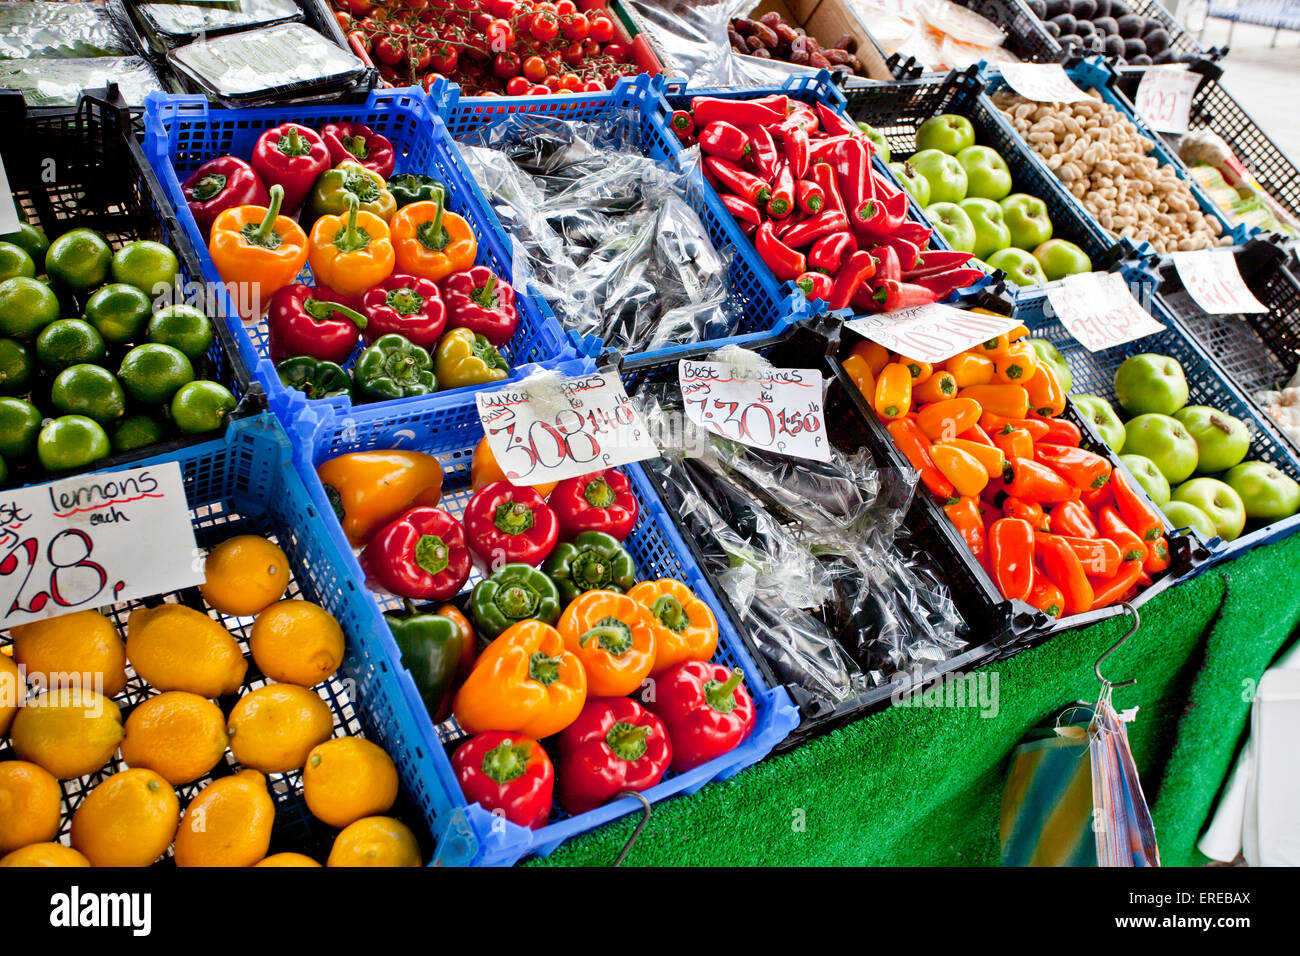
275	728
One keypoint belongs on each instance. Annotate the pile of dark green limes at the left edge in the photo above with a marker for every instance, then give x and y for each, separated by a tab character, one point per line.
96	360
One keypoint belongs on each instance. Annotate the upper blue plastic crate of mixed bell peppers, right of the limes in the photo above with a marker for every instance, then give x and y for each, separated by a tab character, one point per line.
185	132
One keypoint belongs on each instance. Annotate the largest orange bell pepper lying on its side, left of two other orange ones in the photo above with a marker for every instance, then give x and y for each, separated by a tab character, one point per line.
525	682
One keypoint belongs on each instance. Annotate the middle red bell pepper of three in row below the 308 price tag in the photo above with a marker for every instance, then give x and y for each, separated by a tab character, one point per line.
509	524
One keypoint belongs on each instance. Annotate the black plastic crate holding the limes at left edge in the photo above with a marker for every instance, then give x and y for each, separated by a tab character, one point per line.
101	181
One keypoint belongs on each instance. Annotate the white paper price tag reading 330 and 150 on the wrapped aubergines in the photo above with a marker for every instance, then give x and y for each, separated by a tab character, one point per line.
774	409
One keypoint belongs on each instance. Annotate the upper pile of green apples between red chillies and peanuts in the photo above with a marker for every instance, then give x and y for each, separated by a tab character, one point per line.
967	193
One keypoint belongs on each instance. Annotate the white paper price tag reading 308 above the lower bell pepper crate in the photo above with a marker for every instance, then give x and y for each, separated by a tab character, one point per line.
548	429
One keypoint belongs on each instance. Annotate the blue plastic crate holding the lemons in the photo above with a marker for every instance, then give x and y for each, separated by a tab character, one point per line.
245	483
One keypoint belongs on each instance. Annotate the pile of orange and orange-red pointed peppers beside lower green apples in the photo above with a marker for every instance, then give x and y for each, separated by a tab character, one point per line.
1054	525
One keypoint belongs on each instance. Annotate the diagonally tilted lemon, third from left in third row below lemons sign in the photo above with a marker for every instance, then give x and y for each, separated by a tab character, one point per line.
228	824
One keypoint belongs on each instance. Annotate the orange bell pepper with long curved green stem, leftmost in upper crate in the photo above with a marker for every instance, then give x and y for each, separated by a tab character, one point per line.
255	246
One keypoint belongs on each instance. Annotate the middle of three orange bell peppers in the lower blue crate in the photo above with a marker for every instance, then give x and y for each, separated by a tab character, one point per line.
610	634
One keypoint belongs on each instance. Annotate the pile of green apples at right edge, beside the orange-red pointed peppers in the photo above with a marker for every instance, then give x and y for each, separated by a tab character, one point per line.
1175	449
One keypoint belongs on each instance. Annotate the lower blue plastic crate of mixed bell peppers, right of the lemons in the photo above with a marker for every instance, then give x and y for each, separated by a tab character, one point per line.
450	432
